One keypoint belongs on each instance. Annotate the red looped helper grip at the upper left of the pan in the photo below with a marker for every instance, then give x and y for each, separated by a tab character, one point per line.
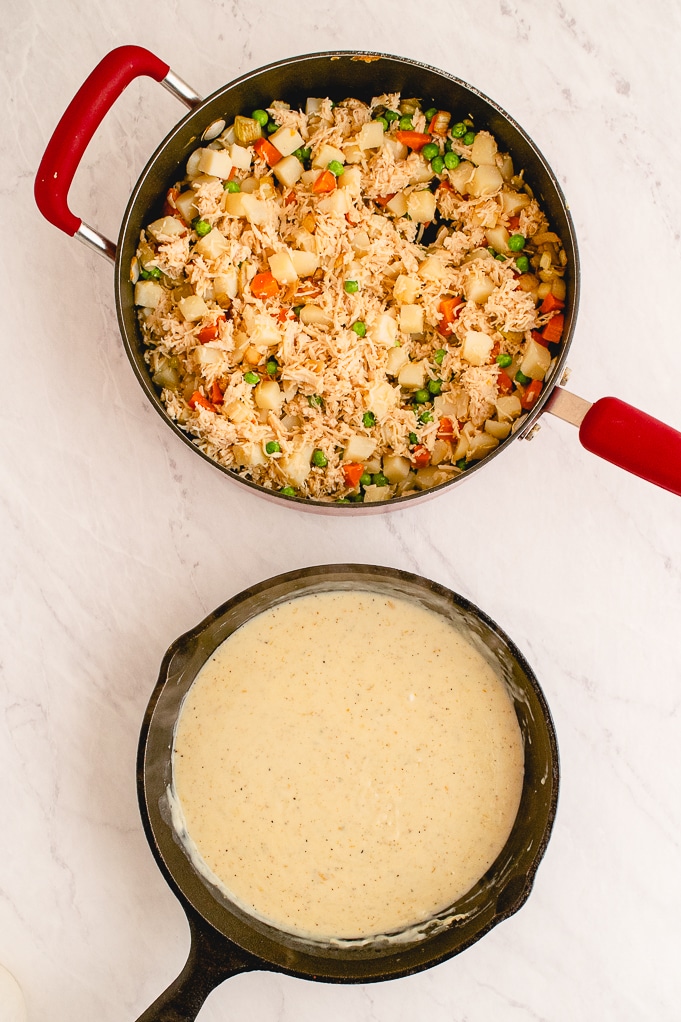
81	120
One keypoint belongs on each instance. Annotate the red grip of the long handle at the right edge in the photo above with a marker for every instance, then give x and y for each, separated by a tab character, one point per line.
634	441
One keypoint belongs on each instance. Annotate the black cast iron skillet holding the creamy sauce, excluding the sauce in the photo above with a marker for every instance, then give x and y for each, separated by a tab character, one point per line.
225	941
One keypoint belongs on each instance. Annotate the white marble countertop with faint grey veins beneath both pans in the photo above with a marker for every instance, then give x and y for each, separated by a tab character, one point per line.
116	538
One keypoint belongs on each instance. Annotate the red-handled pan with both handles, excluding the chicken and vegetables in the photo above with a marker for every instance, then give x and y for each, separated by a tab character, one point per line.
609	428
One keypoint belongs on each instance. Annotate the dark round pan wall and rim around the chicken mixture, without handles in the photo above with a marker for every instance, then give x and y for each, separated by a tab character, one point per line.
339	76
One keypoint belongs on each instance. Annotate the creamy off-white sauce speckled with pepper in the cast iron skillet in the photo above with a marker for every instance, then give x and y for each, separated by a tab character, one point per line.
347	765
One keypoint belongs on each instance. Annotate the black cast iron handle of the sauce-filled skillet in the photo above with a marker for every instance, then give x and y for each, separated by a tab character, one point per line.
212	959
